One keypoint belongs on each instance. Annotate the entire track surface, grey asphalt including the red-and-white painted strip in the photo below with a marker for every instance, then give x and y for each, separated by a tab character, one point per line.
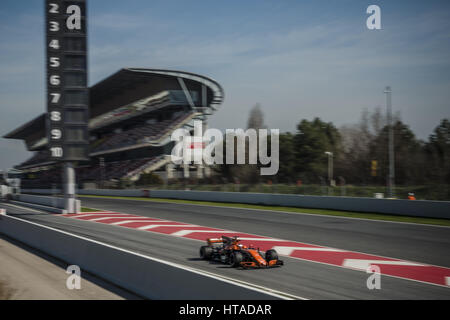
325	257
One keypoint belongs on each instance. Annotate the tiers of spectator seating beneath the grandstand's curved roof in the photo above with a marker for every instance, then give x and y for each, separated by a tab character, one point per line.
150	131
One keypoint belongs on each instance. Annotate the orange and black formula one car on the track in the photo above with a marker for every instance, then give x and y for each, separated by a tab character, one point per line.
228	250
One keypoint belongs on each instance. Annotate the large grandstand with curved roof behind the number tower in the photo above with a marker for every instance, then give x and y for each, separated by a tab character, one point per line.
132	115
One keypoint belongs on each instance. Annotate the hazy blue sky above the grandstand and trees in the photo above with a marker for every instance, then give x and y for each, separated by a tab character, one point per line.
298	59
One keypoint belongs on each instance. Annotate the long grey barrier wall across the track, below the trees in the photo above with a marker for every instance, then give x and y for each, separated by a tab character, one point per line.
417	208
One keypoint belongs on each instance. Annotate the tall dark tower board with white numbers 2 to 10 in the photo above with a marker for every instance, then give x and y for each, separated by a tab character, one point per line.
67	93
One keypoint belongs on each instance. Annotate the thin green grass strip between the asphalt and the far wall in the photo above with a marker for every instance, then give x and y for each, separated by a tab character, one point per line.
350	214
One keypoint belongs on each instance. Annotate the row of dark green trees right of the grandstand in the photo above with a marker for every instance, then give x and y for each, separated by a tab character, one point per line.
360	153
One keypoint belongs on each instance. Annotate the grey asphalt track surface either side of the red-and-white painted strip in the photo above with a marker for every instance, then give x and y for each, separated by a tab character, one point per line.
303	279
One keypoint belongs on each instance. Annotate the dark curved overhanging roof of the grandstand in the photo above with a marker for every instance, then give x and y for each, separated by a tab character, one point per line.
128	85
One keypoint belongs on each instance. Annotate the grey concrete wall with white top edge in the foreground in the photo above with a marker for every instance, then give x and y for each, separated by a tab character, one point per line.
149	277
